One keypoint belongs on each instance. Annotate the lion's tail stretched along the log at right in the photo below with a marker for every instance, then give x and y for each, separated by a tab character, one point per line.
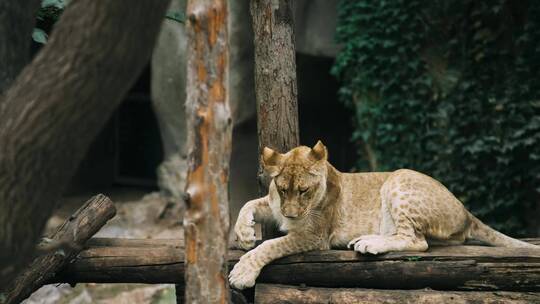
482	232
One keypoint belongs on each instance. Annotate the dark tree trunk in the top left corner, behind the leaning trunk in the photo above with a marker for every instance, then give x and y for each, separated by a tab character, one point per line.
17	19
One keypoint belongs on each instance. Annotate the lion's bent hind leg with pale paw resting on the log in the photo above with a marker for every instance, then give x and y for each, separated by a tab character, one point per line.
400	230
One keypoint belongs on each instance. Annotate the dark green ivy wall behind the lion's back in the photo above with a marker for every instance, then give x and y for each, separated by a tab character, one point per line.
449	88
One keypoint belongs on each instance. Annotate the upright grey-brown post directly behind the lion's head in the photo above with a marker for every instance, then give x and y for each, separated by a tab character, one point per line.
275	82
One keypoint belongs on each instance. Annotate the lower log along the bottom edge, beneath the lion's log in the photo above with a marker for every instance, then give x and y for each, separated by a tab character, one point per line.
270	294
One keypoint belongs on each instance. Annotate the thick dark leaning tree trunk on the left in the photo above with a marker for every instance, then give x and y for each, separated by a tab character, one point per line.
57	105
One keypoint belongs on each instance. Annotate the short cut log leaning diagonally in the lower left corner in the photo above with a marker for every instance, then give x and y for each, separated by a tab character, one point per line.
69	239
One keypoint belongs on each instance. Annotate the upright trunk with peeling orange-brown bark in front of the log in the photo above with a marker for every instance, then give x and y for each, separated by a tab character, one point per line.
206	220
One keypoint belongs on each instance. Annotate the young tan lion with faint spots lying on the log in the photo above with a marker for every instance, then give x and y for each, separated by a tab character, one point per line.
319	208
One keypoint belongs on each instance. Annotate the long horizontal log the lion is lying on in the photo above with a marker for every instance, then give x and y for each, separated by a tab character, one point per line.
449	268
